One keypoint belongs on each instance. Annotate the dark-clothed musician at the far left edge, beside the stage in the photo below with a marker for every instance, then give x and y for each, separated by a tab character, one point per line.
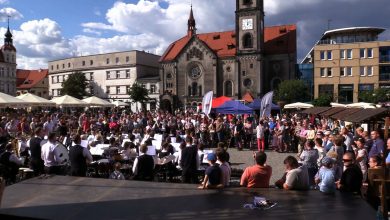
10	163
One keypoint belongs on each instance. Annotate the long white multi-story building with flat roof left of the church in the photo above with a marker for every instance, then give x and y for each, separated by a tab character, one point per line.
110	75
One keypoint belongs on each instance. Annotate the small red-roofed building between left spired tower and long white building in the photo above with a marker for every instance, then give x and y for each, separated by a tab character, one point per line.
33	81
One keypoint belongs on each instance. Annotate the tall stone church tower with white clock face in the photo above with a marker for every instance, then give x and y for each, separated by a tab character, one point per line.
250	46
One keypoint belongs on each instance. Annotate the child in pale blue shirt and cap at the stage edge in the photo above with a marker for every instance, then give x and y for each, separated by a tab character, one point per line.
325	176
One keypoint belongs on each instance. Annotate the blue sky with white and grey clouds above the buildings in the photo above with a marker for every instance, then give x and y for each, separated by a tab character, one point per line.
46	30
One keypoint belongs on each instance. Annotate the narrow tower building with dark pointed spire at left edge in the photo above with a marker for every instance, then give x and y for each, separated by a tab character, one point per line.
8	65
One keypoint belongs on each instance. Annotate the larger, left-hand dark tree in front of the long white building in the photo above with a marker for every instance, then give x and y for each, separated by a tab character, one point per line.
75	85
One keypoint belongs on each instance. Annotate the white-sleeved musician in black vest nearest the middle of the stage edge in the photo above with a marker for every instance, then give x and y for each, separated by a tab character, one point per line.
143	167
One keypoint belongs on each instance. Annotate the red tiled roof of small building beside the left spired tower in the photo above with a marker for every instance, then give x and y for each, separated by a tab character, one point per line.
26	79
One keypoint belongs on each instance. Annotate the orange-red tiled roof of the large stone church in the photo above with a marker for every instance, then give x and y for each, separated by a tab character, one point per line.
278	40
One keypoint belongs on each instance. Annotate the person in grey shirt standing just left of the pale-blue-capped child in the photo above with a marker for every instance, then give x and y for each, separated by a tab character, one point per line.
309	158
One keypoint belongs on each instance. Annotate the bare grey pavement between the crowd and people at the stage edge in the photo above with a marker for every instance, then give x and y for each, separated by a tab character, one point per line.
243	159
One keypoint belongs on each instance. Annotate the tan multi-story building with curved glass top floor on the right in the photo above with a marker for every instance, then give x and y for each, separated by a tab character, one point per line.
349	61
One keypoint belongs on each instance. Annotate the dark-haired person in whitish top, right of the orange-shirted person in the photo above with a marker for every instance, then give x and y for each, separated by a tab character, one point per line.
297	177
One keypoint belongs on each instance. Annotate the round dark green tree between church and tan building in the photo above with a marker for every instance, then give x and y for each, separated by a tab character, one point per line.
292	91
